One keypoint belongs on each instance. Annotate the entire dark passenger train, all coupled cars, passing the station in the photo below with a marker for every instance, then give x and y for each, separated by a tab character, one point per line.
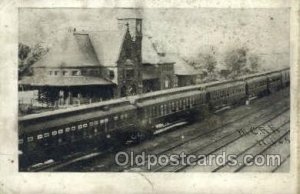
137	116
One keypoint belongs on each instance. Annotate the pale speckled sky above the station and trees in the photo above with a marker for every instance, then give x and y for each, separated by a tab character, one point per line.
186	31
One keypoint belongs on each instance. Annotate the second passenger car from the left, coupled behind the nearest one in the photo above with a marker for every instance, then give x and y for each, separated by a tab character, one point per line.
169	108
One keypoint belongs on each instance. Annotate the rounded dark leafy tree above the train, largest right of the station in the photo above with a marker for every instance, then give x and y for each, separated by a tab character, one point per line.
236	60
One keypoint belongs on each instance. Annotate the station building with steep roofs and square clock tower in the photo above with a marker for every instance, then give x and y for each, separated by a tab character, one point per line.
91	66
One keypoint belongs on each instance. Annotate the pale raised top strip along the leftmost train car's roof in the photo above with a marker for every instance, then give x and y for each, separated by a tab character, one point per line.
75	109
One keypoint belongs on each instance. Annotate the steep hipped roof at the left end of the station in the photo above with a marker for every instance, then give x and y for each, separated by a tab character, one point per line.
74	50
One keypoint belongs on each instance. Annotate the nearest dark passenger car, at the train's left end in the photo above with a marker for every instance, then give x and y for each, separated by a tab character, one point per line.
67	130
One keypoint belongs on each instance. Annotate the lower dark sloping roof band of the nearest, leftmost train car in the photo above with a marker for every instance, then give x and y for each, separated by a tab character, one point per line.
58	122
